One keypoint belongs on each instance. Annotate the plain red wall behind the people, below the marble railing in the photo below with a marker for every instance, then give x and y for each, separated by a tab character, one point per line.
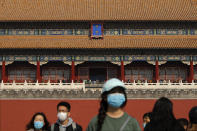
15	114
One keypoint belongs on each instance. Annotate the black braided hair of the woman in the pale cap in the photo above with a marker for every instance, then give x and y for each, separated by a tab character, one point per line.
104	105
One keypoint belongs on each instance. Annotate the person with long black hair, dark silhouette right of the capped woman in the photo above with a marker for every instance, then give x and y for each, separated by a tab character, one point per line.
163	118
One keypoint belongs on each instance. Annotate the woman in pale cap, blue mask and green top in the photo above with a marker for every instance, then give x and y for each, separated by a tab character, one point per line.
111	116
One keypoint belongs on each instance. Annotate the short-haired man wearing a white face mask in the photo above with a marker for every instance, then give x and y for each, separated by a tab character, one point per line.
65	122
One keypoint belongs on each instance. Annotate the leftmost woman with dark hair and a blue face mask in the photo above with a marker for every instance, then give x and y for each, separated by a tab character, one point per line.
38	122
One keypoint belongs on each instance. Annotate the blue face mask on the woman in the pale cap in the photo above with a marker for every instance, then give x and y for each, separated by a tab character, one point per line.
116	99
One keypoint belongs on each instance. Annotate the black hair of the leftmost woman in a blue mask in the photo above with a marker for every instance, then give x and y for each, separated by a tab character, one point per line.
30	125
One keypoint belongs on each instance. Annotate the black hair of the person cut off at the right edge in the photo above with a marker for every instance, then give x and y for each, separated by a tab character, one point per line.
193	115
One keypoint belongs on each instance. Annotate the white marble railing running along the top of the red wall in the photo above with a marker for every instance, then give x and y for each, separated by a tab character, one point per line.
85	87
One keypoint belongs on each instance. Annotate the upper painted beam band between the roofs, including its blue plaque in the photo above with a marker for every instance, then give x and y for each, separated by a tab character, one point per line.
97	31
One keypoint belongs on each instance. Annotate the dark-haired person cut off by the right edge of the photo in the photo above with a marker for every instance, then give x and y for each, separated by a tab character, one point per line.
193	119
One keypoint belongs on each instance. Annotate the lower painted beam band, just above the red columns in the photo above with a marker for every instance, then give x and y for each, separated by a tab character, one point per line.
125	58
